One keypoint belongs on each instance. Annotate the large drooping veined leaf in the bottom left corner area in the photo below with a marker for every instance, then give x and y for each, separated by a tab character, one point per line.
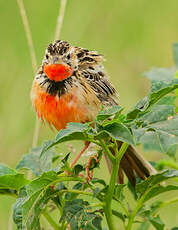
32	201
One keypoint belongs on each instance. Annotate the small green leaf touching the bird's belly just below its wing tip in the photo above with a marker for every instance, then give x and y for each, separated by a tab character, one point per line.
106	113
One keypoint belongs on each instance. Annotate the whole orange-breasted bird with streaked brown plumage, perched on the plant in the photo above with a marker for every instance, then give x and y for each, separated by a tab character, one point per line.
71	85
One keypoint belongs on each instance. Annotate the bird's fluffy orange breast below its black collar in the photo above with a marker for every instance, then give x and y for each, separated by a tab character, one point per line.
58	111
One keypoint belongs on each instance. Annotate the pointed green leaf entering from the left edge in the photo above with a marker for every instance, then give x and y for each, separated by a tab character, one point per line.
10	179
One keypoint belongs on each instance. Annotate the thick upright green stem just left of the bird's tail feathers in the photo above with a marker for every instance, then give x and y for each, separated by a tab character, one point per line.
110	192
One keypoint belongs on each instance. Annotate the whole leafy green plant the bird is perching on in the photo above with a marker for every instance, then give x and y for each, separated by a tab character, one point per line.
84	205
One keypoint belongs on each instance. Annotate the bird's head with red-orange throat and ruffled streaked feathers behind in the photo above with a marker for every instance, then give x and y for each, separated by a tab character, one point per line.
61	60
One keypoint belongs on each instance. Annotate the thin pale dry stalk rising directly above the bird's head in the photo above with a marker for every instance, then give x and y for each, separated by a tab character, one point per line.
60	19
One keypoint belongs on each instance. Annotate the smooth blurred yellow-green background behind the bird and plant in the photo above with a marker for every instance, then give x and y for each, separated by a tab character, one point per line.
133	36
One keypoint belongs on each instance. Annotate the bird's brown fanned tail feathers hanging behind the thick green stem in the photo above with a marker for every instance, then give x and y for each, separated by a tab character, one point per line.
132	163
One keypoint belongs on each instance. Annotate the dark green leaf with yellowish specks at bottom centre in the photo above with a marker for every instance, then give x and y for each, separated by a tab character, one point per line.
79	215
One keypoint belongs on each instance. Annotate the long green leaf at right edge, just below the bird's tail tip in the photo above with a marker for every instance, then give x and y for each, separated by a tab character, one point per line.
155	179
